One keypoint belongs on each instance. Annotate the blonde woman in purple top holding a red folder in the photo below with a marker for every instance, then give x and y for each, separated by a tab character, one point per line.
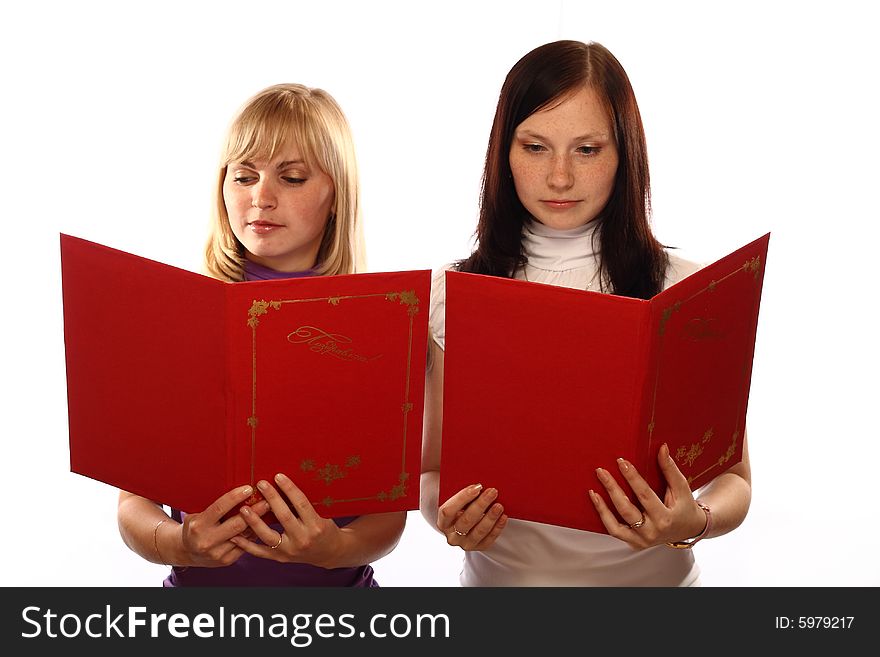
286	206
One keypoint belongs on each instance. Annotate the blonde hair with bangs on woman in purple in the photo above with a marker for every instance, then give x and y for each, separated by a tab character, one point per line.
278	116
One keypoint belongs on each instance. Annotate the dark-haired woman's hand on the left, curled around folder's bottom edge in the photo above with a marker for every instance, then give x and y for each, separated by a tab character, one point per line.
471	519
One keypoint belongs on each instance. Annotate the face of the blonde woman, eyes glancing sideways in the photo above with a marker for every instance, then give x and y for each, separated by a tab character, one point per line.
279	209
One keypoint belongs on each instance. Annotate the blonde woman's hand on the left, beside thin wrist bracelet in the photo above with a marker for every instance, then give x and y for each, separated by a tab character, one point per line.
205	537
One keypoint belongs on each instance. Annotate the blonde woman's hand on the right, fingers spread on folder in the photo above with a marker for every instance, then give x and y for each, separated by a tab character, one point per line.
306	537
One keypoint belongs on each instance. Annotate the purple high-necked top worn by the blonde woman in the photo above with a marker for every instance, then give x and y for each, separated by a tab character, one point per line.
253	571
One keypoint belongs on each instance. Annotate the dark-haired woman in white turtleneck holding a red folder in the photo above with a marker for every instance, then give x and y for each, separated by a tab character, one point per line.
566	201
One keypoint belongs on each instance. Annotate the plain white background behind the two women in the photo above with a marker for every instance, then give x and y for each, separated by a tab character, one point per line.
760	116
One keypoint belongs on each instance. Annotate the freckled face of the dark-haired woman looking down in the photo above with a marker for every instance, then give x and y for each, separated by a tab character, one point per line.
564	161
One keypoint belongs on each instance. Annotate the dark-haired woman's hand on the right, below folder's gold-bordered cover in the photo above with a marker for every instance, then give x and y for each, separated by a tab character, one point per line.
657	522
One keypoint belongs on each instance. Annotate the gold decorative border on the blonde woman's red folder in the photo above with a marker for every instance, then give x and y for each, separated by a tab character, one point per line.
406	298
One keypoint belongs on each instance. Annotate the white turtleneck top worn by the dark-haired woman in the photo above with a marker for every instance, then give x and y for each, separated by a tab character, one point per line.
536	554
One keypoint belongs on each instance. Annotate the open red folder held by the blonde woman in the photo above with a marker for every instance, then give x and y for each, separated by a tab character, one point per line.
181	387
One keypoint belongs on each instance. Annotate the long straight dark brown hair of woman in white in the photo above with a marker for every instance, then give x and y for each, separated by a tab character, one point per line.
632	260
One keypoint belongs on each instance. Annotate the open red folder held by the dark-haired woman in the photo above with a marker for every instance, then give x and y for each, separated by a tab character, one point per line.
545	384
